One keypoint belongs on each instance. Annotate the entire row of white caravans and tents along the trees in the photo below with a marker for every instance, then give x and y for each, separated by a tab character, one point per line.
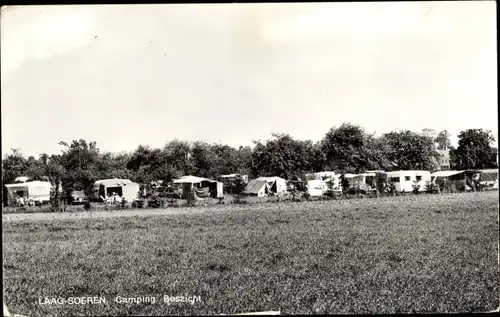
317	184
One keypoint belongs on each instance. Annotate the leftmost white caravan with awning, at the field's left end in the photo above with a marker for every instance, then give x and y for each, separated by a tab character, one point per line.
37	191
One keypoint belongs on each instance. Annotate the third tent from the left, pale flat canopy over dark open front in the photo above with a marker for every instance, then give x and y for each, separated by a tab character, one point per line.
201	187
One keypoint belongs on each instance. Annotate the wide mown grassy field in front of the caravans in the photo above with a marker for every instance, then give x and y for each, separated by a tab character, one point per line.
430	253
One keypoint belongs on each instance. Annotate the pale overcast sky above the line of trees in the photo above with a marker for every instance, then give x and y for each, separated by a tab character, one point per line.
146	74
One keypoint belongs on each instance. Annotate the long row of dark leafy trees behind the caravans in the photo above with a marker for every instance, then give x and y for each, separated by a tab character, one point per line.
347	148
